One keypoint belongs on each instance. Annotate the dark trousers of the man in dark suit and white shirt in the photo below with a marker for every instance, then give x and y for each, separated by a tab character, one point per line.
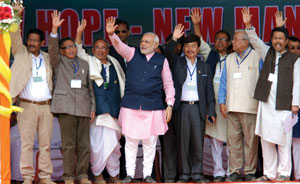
190	132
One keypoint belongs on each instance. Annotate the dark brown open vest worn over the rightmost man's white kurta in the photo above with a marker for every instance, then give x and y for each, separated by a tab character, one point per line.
284	93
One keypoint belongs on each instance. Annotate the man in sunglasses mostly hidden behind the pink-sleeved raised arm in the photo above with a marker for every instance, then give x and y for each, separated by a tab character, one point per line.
123	33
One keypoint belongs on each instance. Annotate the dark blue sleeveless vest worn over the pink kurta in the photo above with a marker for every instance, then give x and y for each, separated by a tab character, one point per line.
144	85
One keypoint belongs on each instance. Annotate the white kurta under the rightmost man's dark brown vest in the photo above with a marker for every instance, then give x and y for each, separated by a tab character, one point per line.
269	122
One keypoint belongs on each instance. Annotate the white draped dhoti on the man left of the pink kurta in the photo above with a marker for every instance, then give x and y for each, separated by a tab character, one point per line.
105	146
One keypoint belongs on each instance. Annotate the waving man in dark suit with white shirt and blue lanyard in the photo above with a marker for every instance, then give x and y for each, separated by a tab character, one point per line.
195	102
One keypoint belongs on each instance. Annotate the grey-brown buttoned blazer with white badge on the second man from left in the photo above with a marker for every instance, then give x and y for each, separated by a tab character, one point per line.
67	100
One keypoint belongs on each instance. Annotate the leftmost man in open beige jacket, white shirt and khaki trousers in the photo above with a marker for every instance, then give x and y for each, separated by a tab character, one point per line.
31	82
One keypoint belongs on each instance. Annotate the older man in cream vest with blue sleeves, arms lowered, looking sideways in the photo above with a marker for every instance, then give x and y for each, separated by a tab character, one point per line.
237	85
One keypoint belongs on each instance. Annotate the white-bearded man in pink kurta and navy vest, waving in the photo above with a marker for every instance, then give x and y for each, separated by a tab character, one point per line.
142	115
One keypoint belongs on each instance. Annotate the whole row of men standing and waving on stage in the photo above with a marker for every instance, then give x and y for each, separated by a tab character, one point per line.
256	89
